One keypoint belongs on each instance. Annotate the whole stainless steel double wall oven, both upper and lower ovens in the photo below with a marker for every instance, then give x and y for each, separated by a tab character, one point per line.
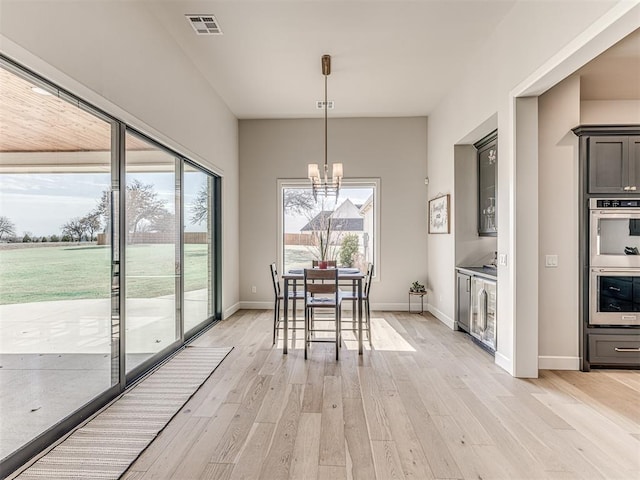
614	261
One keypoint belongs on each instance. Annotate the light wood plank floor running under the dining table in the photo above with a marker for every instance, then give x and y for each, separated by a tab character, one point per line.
424	403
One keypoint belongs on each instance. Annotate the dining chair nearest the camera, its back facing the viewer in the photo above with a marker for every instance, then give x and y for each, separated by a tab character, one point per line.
321	292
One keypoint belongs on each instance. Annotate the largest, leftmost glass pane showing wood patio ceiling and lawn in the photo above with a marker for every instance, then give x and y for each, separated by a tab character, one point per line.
55	282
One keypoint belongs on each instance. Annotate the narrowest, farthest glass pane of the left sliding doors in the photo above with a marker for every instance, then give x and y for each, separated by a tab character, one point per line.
198	260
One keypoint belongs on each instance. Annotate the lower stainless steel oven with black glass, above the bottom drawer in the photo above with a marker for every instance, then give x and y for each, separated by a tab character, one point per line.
614	297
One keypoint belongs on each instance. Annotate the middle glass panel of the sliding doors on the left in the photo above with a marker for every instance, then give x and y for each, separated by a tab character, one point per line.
152	251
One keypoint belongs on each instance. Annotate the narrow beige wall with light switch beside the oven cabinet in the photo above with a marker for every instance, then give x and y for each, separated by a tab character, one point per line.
559	112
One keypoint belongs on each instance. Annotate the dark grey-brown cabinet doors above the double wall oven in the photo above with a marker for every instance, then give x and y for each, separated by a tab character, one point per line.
613	164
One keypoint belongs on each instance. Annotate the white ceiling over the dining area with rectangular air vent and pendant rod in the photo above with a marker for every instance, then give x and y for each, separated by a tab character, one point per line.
389	58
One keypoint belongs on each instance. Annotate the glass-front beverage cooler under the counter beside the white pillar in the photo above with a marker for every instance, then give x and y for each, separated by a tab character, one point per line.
483	311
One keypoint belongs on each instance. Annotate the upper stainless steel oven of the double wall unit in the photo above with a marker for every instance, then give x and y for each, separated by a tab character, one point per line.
615	232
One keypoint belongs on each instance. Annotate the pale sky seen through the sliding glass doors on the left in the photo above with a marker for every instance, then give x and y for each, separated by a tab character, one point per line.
39	204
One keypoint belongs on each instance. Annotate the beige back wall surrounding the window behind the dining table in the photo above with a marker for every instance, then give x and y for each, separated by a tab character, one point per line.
392	149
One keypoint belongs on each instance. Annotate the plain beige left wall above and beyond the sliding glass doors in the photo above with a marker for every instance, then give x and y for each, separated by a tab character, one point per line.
116	56
